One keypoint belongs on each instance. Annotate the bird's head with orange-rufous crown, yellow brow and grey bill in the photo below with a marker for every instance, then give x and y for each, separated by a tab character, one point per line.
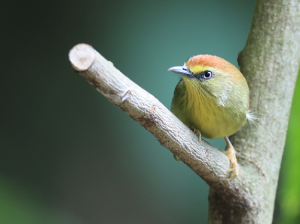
212	75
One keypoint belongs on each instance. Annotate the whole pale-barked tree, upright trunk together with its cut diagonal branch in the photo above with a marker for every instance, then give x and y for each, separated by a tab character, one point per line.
270	62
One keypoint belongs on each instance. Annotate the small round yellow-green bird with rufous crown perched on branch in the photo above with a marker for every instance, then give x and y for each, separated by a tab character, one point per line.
212	98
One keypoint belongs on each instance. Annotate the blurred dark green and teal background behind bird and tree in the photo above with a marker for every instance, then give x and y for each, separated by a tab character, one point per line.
67	154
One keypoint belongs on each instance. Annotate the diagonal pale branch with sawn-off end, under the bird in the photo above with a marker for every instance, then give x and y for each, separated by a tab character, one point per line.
208	162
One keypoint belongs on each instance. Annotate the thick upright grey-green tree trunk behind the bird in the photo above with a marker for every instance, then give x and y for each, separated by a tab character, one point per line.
270	63
